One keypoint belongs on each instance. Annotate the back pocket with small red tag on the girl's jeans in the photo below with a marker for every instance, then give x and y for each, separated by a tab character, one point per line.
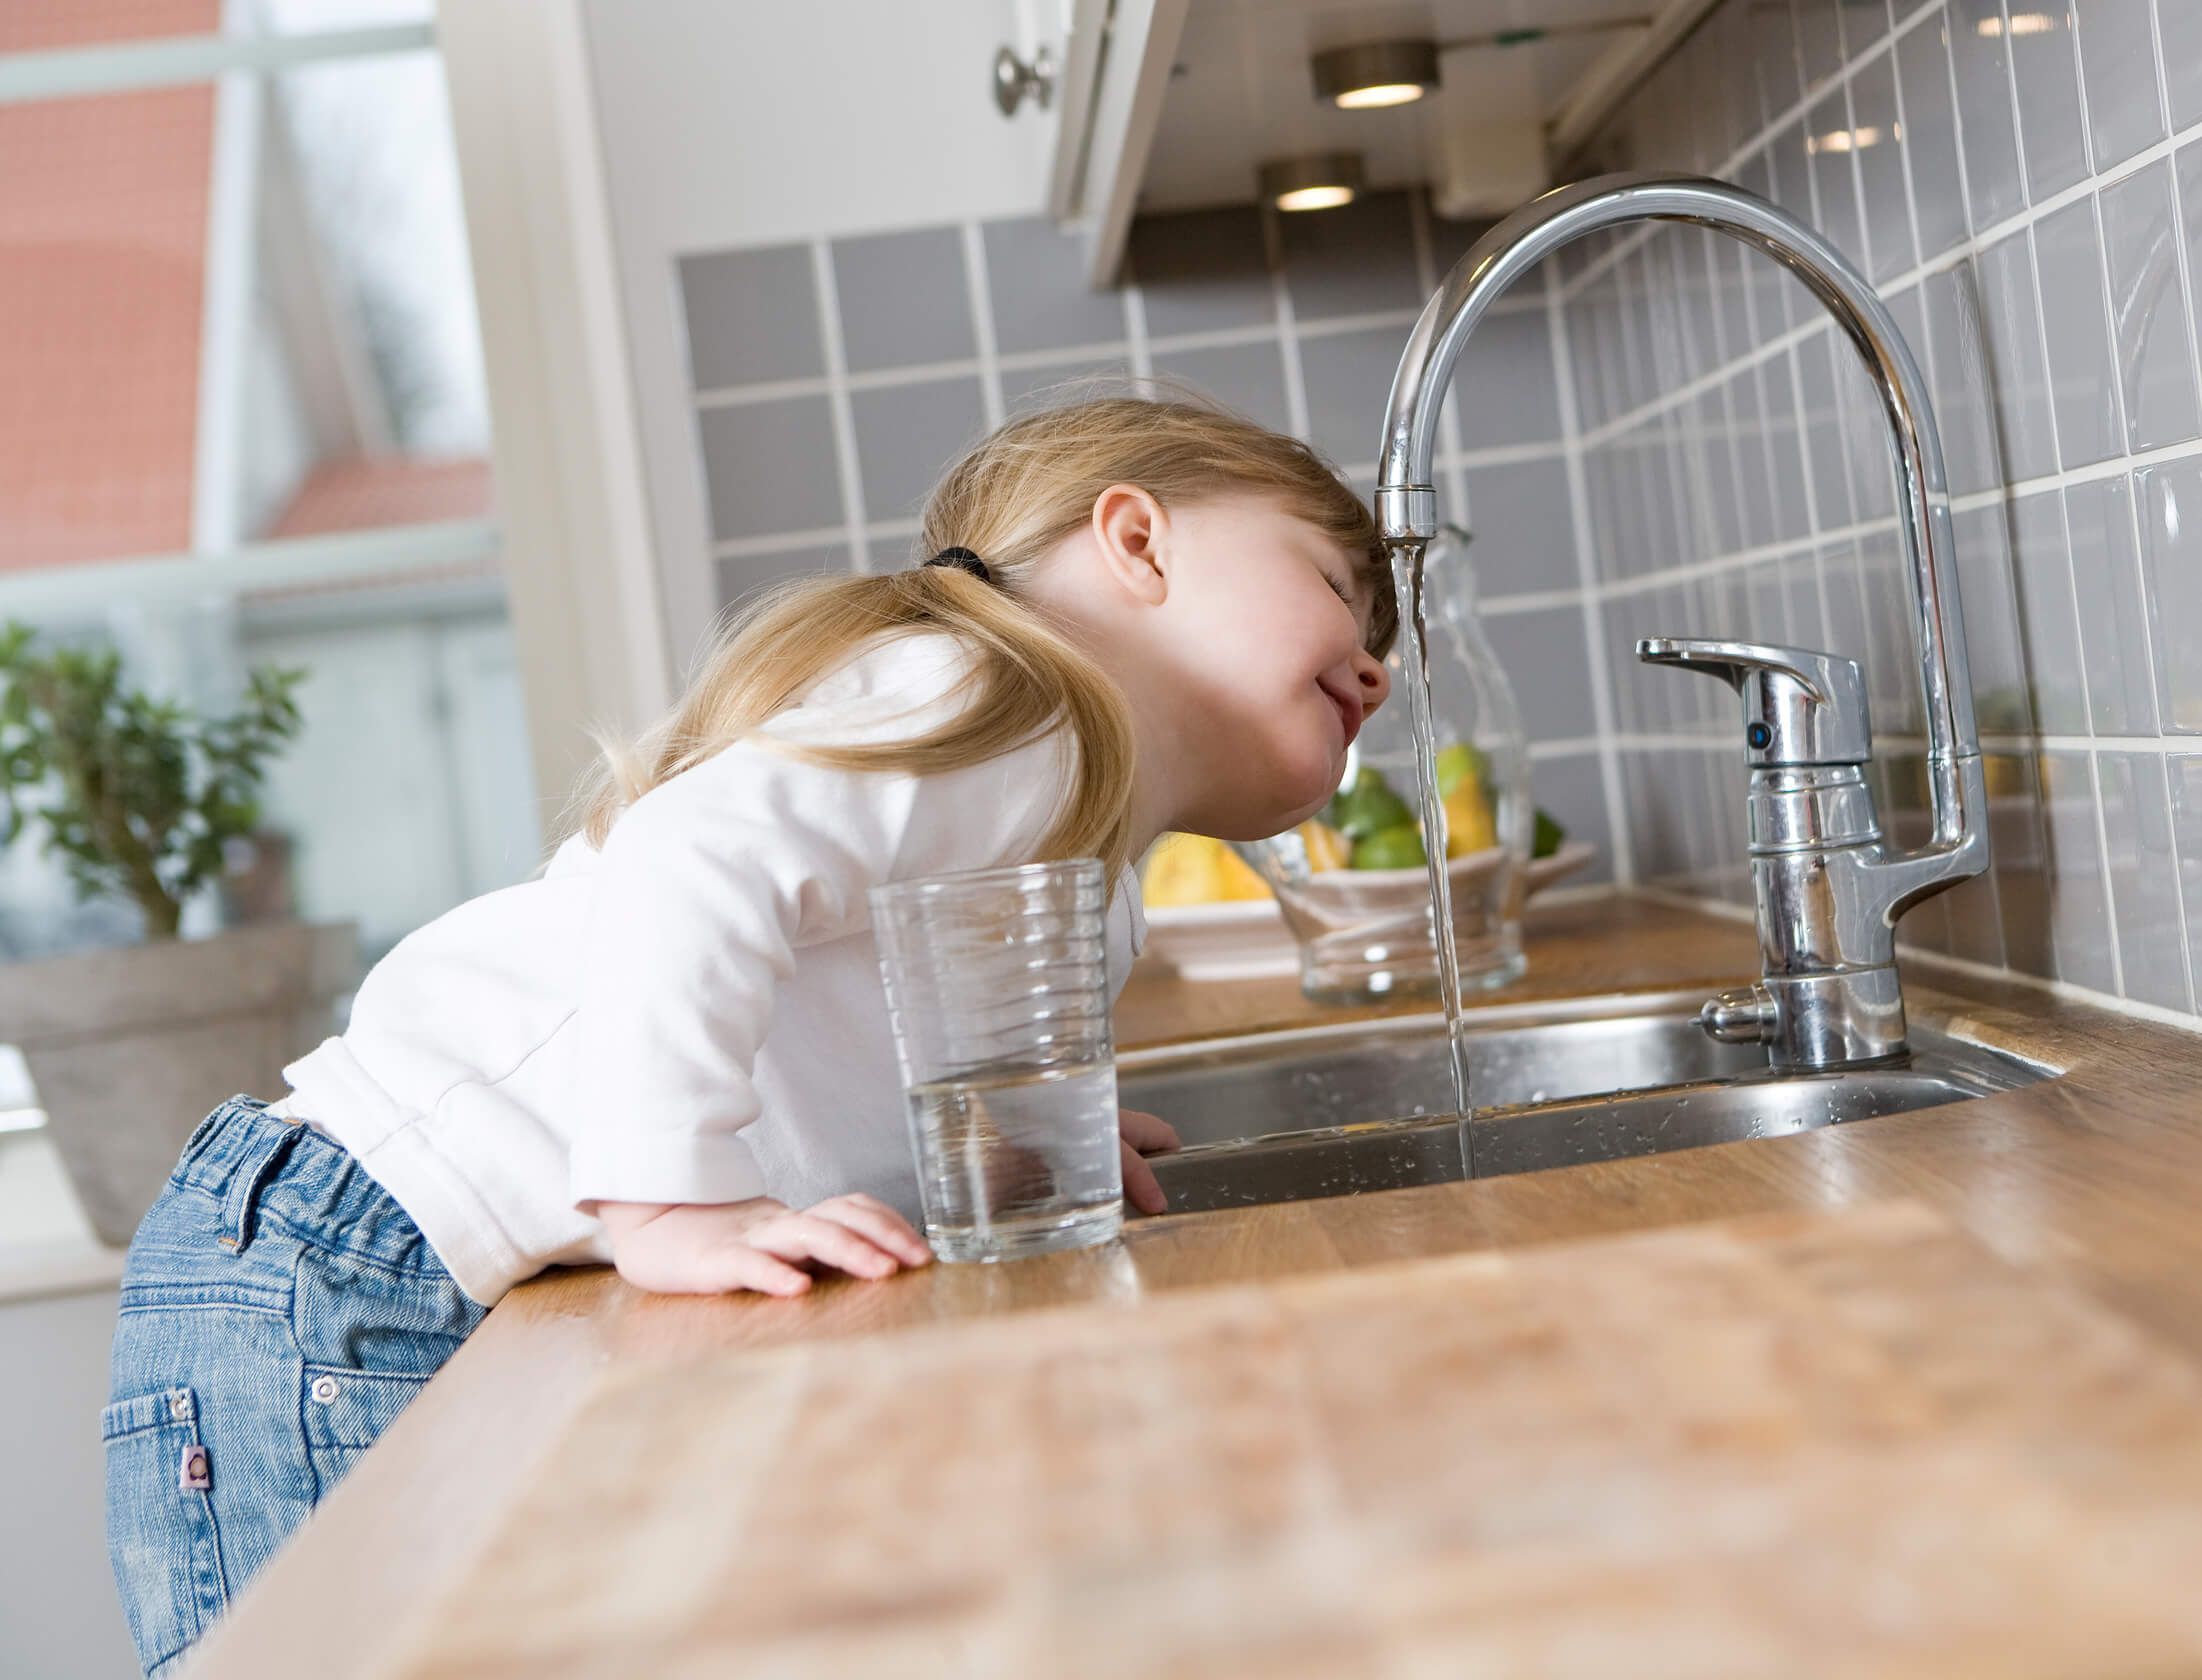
162	1536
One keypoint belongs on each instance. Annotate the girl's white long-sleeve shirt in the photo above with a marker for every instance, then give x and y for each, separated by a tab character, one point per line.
693	1014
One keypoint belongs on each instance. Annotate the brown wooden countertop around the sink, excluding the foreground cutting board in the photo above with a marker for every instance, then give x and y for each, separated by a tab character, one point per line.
2091	1183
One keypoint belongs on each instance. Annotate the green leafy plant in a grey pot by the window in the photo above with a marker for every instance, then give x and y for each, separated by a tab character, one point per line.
146	800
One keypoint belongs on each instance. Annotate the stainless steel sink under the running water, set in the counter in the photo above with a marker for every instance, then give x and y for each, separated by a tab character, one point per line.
1344	1111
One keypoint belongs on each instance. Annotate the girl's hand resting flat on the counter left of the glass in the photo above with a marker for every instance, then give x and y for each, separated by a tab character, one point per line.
756	1245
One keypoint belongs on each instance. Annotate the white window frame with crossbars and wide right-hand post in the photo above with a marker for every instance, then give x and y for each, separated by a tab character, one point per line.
571	525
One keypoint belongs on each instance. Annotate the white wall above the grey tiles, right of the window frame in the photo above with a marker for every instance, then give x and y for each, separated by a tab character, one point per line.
759	122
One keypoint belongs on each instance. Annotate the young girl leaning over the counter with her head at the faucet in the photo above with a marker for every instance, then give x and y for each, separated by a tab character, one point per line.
671	1051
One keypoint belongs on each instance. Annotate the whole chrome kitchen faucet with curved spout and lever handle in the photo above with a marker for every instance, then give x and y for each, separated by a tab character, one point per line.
1829	886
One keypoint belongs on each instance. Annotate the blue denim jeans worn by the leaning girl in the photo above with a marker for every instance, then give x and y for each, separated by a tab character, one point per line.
279	1311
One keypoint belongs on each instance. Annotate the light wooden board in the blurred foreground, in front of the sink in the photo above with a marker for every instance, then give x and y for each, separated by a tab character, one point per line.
1787	1446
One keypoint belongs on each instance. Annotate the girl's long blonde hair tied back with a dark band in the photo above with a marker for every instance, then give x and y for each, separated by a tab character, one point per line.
1012	501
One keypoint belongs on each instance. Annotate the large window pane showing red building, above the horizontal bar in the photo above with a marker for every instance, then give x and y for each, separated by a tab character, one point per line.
307	226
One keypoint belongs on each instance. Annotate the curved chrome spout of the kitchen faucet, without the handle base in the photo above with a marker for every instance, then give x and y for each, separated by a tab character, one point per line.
1406	497
